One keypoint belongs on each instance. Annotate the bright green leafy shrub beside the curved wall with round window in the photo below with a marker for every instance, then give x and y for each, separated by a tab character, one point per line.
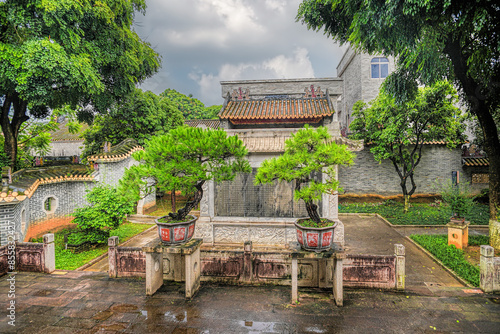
106	211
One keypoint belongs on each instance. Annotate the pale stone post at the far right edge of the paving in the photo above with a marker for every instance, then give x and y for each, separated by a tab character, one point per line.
490	270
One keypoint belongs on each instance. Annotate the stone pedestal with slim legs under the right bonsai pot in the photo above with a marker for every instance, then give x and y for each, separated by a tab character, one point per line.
333	257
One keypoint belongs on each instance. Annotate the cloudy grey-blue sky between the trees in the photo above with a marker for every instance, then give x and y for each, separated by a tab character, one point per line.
203	42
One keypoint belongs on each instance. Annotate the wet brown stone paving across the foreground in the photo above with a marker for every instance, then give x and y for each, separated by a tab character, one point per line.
122	307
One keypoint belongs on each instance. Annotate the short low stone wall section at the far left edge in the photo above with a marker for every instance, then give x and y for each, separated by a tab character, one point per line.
35	257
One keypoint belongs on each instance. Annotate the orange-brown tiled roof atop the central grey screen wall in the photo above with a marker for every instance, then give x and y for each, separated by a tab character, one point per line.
277	110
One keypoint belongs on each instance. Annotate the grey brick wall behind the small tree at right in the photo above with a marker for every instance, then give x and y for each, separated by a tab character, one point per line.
367	176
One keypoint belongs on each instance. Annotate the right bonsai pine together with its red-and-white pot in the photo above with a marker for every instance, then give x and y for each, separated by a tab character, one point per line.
309	150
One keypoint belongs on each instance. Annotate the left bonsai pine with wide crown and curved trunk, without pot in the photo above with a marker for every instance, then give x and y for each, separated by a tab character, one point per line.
184	159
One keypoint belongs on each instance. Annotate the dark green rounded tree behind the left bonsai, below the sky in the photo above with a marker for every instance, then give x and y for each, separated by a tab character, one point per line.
140	116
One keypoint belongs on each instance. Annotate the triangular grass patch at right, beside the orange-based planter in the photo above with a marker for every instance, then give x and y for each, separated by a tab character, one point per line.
465	263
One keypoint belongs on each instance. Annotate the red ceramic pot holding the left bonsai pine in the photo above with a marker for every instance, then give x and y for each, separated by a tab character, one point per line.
176	233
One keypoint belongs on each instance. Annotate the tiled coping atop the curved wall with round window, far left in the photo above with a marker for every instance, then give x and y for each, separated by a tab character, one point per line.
26	181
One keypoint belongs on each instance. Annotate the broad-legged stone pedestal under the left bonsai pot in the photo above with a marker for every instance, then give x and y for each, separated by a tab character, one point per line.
183	264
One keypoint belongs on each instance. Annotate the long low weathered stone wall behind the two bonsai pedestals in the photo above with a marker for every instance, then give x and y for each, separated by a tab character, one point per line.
233	264
